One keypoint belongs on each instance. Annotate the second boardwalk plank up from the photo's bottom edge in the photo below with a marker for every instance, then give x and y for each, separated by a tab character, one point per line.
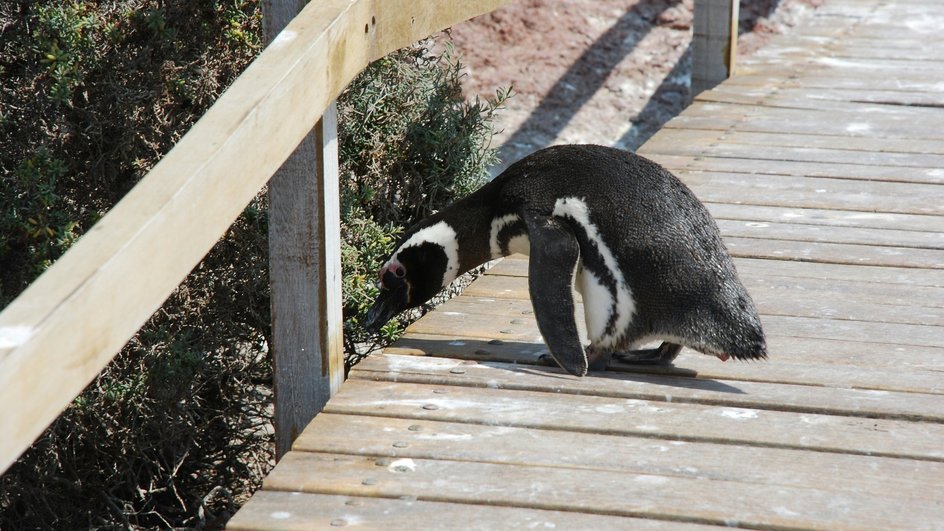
596	491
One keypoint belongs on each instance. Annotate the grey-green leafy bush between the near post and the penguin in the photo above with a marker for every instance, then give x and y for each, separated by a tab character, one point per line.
410	144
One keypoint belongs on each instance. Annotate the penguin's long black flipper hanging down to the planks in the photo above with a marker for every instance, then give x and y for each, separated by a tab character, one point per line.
554	255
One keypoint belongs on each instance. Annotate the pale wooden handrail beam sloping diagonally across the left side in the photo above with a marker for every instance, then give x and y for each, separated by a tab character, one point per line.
81	311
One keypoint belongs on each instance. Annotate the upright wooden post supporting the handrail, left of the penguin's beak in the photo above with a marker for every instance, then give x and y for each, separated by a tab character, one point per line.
304	267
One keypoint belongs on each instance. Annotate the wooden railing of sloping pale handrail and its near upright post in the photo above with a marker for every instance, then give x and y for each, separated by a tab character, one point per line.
63	329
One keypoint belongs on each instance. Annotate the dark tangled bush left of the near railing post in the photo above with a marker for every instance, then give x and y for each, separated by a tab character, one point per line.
174	431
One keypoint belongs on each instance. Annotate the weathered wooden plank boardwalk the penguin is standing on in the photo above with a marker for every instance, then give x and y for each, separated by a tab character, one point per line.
823	162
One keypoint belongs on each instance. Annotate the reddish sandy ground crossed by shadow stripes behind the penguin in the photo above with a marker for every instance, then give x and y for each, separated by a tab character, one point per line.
610	72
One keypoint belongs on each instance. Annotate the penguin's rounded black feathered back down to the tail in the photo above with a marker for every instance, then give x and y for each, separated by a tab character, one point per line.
668	247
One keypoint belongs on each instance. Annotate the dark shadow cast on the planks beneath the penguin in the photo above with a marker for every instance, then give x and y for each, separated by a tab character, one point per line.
525	357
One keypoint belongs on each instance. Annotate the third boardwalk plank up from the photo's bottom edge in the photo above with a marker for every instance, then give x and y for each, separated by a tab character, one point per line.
459	441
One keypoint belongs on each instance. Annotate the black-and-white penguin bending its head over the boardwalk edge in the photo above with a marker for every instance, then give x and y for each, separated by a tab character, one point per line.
629	236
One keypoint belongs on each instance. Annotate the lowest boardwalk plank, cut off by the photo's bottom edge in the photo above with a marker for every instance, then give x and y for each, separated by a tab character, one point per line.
302	511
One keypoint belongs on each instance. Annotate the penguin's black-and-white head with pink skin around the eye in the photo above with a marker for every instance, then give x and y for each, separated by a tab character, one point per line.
422	265
